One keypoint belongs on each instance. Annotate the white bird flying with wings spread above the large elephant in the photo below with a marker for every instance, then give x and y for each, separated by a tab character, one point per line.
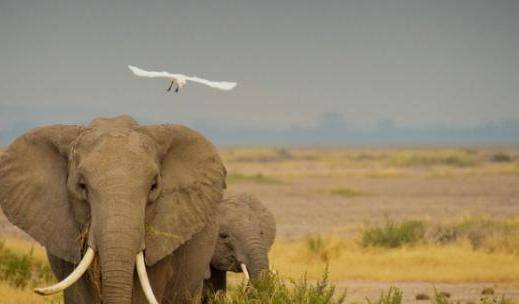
180	80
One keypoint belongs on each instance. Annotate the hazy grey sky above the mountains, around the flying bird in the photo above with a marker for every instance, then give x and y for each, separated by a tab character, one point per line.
415	62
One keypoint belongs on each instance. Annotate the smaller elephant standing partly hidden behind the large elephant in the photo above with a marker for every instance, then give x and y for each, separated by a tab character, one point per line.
247	231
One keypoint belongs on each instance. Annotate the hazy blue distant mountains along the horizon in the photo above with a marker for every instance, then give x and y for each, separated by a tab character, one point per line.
332	129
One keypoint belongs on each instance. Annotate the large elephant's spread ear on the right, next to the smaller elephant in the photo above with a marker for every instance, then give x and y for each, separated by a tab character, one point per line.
192	180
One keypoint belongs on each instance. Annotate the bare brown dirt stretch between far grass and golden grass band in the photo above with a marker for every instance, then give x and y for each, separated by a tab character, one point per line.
300	207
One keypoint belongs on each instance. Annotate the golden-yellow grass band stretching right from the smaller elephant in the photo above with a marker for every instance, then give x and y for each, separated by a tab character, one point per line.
432	263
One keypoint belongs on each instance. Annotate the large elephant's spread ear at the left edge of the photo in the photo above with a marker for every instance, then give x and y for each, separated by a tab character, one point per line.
33	192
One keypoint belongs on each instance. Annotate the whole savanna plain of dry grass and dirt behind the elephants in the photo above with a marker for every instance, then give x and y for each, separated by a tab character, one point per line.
425	220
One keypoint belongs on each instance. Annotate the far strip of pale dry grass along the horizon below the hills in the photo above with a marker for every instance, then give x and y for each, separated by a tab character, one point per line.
368	163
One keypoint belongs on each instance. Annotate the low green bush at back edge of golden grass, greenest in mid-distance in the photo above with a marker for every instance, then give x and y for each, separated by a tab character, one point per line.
392	235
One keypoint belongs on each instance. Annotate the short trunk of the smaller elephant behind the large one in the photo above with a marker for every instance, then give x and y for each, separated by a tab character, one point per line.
257	258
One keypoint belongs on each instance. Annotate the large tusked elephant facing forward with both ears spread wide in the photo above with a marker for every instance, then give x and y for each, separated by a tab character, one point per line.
111	196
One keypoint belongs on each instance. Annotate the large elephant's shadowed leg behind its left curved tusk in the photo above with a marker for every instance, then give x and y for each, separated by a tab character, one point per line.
80	292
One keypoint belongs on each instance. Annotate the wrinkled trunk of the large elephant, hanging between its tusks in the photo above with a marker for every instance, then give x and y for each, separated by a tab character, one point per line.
120	237
